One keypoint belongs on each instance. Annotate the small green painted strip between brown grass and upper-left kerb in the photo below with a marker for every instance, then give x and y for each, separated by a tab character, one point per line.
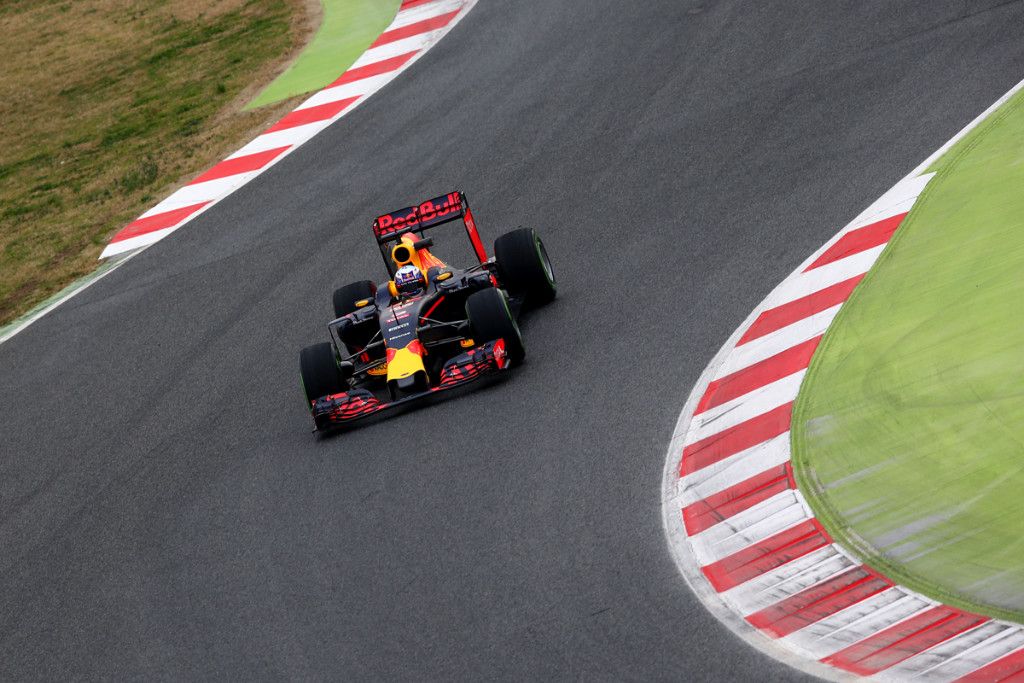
349	28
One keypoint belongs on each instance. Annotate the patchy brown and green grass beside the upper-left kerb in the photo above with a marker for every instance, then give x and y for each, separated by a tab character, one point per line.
108	106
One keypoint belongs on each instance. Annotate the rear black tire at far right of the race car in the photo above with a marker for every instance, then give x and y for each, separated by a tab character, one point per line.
524	267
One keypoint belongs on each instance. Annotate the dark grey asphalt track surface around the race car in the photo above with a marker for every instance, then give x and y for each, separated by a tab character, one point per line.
165	511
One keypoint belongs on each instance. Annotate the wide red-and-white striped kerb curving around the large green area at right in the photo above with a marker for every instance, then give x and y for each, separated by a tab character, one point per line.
741	532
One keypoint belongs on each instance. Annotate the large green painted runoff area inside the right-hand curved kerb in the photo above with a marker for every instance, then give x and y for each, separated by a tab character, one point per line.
909	432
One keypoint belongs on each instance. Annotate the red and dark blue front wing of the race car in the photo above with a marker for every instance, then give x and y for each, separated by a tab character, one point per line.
343	409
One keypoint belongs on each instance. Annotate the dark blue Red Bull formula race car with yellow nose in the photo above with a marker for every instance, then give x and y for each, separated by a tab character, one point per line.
431	327
